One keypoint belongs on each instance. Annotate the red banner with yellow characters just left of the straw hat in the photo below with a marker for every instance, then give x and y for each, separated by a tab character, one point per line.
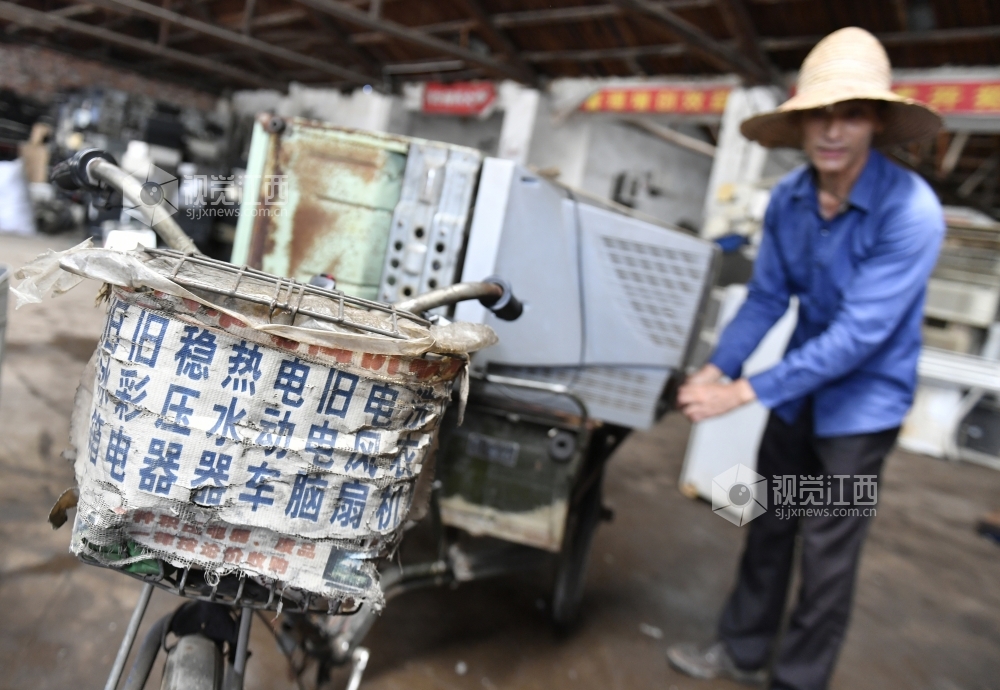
689	100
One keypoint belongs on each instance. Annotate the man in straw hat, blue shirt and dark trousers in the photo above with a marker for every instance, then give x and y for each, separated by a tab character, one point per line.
855	238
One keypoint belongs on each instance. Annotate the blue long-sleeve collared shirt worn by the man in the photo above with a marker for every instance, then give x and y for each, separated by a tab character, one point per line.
861	280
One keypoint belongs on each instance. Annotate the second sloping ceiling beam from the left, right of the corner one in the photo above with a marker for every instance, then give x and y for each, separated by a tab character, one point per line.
233	37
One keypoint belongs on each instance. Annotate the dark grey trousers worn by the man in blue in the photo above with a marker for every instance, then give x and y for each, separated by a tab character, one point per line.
831	547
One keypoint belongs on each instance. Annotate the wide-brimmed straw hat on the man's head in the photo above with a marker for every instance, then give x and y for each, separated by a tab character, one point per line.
849	64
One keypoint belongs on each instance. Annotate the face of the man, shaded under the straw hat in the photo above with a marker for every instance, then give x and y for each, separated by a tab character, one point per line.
837	138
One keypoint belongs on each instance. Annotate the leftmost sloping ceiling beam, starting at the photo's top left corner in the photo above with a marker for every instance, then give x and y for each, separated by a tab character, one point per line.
43	21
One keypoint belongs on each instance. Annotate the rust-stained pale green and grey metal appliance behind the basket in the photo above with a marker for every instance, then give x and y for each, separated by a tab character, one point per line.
385	215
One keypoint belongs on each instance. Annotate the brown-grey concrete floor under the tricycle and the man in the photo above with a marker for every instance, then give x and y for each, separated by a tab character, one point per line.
928	603
